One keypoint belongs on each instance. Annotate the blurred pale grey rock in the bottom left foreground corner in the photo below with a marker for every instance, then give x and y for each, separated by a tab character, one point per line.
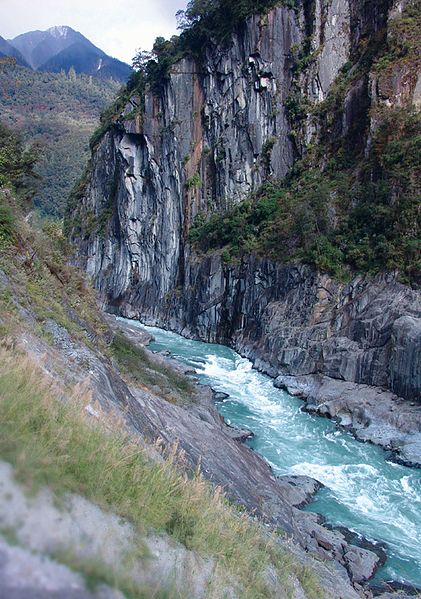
50	542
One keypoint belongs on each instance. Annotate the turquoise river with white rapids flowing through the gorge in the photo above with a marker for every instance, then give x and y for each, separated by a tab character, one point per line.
364	489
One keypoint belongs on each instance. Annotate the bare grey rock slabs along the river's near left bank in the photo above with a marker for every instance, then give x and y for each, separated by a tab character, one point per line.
248	479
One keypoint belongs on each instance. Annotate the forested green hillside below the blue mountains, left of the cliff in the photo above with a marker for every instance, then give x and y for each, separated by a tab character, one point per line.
60	114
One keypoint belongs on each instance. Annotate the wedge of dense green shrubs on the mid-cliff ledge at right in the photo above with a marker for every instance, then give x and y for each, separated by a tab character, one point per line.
336	219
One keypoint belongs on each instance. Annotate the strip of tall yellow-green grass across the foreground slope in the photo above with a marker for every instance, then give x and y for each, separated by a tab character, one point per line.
55	443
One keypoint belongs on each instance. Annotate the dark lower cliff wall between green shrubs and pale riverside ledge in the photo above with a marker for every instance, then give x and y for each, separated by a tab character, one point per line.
292	321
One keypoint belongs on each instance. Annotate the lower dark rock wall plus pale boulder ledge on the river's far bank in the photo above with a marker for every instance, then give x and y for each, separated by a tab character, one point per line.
352	351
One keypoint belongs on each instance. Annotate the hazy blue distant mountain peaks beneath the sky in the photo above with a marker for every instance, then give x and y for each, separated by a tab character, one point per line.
61	47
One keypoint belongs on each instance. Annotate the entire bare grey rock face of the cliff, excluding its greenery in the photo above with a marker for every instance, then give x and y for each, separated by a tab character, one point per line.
211	136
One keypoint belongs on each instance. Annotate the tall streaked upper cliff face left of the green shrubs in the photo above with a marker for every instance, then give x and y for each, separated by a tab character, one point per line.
208	139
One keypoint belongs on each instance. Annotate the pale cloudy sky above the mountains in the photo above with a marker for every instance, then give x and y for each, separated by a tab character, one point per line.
119	27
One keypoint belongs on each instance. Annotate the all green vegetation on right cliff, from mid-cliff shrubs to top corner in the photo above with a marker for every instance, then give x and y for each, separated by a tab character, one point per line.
342	209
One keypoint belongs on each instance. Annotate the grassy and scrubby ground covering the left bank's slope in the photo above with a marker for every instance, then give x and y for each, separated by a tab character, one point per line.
50	442
